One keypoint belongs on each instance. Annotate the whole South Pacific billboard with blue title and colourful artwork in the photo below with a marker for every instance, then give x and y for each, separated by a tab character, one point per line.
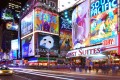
103	20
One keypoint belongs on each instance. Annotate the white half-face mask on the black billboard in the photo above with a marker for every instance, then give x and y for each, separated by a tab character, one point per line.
47	42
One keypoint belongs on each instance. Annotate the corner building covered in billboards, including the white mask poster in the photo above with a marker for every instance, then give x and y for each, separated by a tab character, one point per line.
39	32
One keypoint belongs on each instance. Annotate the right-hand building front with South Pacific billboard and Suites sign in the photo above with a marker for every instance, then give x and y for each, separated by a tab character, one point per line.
95	34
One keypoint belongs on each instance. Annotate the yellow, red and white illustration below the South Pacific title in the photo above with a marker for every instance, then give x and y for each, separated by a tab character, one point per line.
104	26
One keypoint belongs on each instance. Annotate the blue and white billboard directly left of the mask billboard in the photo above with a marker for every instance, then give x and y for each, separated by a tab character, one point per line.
27	46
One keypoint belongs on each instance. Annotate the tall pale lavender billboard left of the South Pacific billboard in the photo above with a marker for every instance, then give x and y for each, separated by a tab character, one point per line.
80	25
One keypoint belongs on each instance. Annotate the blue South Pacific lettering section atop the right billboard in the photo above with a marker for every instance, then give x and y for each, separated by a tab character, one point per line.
100	6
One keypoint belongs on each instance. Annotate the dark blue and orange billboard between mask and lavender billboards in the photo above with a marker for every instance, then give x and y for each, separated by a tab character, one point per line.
65	34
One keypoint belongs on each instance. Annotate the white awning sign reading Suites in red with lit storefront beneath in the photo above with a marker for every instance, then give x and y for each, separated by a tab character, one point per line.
80	56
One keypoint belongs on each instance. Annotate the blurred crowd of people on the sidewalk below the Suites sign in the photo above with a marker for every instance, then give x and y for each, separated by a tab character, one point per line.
105	68
